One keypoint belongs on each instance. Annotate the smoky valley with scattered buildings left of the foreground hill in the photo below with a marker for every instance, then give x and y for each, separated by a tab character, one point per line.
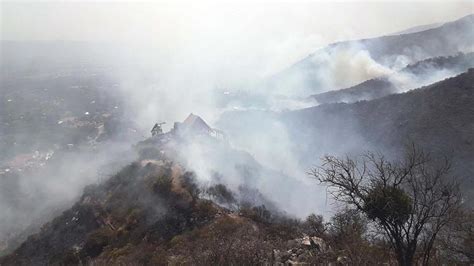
53	118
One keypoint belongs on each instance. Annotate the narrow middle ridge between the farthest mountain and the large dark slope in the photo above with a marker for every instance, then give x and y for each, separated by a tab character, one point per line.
419	73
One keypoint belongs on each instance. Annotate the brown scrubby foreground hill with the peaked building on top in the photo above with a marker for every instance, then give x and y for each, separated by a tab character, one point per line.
155	212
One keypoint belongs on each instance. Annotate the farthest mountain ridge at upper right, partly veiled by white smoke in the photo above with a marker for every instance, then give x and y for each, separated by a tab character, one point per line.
348	63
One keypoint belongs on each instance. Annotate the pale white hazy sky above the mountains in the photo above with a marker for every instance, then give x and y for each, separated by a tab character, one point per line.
263	35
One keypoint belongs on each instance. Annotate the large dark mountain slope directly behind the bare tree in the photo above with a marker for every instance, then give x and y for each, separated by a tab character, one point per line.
439	118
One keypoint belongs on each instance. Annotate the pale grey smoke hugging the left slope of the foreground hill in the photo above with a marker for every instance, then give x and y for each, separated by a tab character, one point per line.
30	197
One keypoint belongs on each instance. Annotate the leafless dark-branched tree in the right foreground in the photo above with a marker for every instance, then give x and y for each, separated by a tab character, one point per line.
410	200
